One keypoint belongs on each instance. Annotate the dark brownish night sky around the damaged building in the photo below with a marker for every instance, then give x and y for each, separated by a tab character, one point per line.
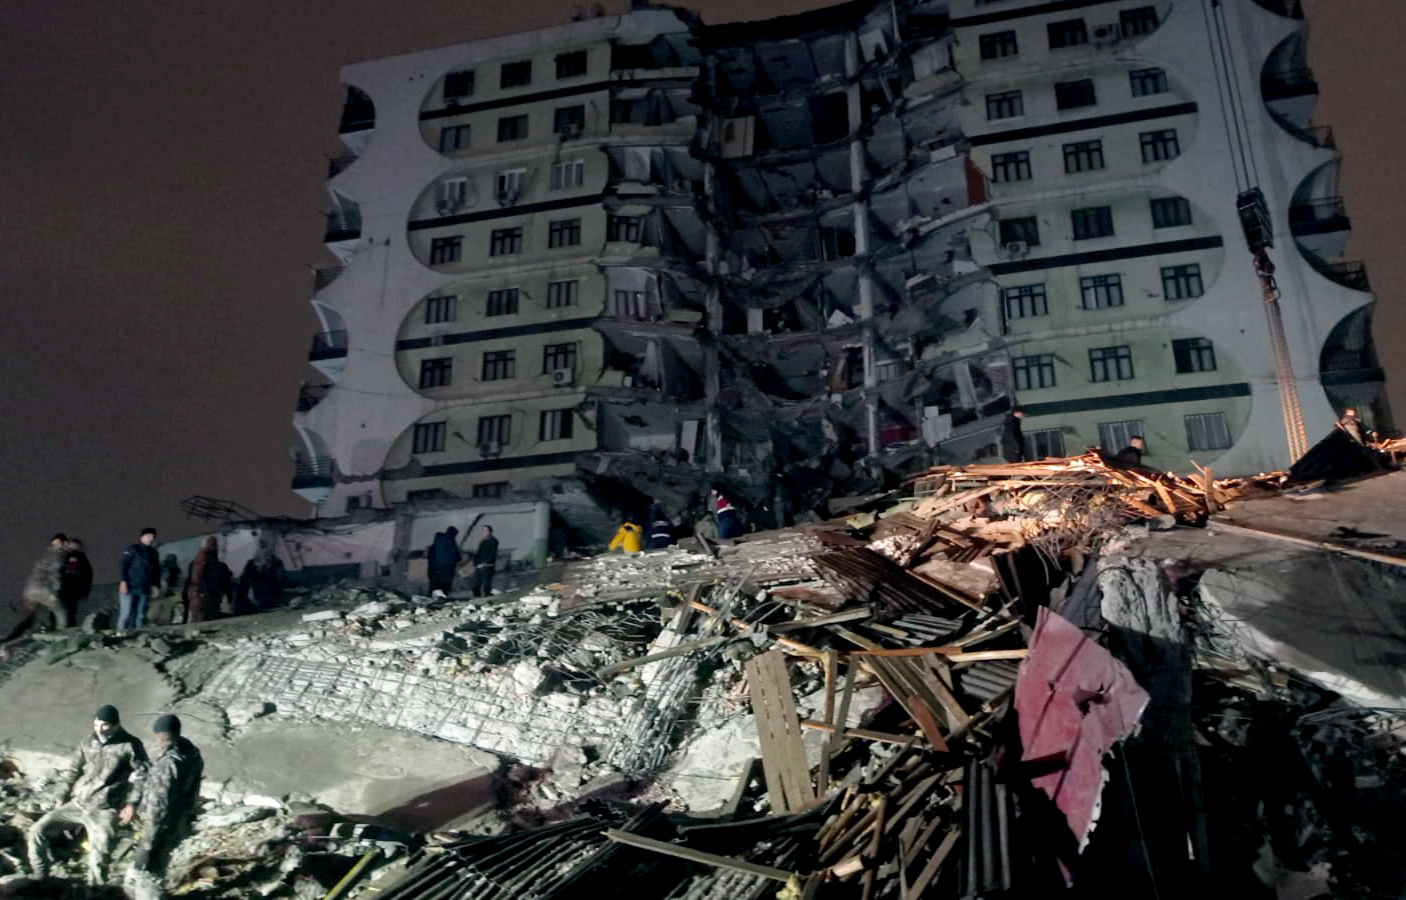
161	175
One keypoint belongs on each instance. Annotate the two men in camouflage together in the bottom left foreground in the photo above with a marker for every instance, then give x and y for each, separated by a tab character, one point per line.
113	783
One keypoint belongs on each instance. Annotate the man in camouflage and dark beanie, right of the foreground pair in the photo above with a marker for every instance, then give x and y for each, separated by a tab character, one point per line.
165	804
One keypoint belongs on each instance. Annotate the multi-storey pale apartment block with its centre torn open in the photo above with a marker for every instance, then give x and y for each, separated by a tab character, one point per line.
827	247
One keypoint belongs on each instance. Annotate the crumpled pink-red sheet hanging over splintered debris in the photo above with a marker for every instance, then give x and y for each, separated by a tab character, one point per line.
1075	702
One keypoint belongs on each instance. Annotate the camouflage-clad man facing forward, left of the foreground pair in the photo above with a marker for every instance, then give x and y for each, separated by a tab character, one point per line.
95	785
